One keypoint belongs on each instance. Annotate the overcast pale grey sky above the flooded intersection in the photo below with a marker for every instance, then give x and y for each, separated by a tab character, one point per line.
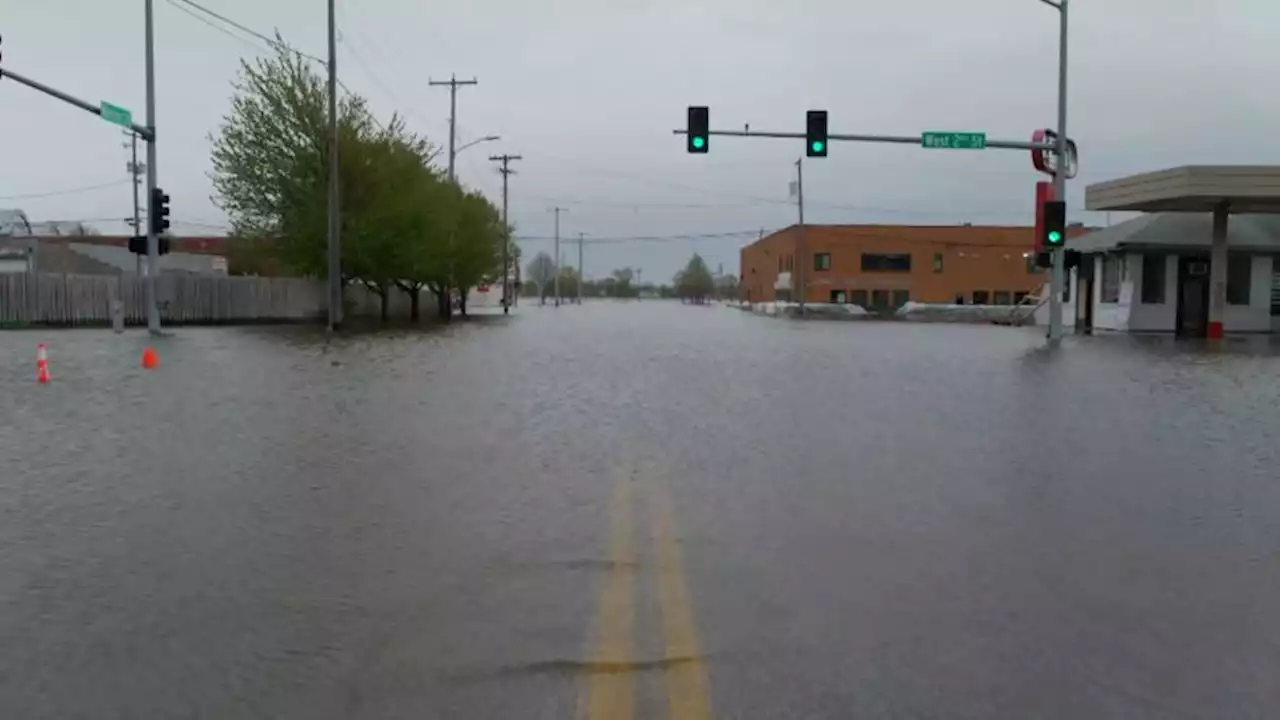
589	94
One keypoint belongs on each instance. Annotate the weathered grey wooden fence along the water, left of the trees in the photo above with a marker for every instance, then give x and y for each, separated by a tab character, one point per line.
88	300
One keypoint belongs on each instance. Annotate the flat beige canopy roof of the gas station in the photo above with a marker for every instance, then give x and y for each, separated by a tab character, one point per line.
1191	189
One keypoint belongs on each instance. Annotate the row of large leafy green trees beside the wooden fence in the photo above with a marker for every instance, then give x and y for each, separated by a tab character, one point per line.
405	226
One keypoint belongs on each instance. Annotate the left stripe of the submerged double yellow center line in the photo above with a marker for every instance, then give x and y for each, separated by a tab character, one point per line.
611	694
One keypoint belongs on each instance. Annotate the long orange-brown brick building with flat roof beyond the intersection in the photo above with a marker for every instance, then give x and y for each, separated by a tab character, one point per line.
888	266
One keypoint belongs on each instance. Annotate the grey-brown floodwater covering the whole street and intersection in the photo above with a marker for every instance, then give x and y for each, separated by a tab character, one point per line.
639	511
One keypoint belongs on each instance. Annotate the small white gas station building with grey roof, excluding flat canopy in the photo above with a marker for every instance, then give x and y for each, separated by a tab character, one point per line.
1153	275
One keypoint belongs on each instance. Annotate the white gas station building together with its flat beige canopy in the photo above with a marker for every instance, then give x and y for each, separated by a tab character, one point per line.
1201	263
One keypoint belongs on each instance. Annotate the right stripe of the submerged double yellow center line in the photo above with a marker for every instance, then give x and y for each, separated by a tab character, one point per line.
688	687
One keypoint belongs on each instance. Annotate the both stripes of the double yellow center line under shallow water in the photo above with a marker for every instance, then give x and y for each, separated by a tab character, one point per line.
611	690
